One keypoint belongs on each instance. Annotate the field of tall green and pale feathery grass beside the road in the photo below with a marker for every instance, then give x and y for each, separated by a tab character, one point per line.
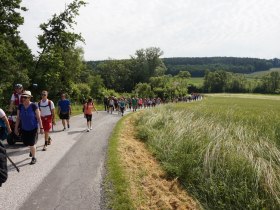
225	151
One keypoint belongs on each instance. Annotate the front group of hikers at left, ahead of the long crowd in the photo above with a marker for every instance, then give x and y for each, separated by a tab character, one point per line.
32	117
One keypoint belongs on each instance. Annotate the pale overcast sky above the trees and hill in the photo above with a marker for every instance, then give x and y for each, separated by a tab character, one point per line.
180	28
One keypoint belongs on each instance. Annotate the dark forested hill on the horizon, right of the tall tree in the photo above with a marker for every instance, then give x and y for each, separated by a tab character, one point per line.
198	65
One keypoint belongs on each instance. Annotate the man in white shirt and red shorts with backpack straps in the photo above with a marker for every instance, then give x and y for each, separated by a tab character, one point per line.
46	107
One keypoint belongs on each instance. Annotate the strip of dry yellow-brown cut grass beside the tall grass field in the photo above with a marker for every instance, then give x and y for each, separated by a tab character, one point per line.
149	188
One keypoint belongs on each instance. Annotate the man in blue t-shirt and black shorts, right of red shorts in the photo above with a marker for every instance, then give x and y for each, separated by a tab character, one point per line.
64	110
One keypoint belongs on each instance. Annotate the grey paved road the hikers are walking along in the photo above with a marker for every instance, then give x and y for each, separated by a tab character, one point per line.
68	175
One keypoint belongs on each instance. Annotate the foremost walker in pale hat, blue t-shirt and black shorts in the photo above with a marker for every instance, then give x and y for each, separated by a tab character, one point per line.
28	115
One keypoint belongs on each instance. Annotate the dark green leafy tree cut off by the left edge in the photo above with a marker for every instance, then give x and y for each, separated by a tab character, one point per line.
15	56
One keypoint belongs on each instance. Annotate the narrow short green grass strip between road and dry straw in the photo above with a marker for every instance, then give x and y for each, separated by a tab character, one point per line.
116	184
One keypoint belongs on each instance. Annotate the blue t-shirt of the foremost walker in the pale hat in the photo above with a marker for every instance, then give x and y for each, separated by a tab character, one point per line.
28	117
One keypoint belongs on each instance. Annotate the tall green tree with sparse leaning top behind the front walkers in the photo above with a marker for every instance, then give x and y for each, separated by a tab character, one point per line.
60	62
